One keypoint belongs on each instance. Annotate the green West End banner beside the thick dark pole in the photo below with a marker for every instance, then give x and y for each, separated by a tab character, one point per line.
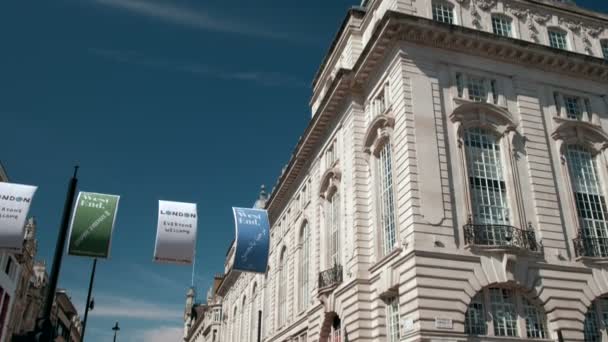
92	225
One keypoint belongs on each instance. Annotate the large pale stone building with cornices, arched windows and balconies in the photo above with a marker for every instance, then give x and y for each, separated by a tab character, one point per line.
451	184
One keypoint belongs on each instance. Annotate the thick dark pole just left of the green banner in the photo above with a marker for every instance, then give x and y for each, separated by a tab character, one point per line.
45	328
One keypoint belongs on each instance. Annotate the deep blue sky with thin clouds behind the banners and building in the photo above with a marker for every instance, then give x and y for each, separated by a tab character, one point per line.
194	101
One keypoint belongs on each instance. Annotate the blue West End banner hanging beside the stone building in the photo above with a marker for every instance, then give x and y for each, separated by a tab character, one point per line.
252	240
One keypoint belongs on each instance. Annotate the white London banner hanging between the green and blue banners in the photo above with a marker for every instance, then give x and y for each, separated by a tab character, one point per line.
176	233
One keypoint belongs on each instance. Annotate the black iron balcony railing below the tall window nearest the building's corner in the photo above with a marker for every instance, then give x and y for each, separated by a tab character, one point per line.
500	236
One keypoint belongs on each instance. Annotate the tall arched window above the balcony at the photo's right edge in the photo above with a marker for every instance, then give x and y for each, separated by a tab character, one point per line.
590	200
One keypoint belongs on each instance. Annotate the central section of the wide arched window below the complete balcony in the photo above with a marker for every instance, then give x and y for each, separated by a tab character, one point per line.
504	312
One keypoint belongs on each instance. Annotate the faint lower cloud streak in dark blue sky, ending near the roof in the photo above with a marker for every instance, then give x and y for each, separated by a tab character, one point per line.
264	78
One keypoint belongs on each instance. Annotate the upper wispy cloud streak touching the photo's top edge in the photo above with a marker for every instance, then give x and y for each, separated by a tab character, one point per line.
190	17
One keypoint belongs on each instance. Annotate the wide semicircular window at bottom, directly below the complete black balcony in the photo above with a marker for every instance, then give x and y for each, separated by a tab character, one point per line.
500	311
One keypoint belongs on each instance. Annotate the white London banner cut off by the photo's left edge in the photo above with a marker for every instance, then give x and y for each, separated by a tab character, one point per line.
15	201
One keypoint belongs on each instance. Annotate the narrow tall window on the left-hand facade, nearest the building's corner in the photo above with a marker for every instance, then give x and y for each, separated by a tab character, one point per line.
386	198
